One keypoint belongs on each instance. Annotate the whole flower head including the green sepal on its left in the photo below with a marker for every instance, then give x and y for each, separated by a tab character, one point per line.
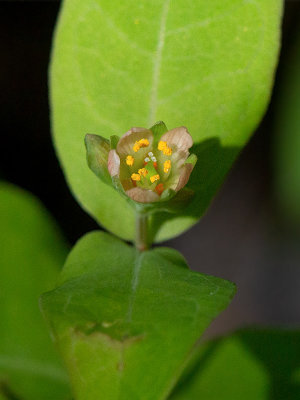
144	165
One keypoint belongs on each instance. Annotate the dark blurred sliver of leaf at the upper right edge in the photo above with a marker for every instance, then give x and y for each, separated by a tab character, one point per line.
287	123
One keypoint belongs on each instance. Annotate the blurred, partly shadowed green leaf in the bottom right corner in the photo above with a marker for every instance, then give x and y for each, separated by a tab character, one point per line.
251	364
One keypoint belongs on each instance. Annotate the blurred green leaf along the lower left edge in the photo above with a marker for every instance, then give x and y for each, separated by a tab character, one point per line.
31	253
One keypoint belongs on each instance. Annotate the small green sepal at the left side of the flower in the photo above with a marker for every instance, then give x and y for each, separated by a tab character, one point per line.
97	149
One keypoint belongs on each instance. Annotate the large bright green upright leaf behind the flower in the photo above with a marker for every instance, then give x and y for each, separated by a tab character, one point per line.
207	65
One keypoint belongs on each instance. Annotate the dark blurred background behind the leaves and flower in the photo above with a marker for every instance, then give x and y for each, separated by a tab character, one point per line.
243	237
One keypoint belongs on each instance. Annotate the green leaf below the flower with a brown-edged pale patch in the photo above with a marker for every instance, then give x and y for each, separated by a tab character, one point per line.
126	321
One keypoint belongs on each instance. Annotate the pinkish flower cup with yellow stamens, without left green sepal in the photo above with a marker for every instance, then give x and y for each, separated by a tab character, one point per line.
148	167
